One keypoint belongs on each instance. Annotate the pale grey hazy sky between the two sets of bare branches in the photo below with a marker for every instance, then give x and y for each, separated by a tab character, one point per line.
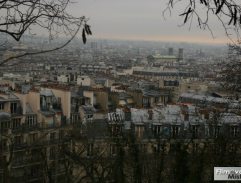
141	19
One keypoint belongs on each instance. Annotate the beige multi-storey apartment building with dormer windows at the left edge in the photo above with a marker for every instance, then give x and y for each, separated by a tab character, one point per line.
33	130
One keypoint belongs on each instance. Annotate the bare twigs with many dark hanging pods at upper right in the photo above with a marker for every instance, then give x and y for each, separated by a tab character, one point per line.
227	12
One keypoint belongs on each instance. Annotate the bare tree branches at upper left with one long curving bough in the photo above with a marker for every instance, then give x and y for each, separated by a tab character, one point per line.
51	16
